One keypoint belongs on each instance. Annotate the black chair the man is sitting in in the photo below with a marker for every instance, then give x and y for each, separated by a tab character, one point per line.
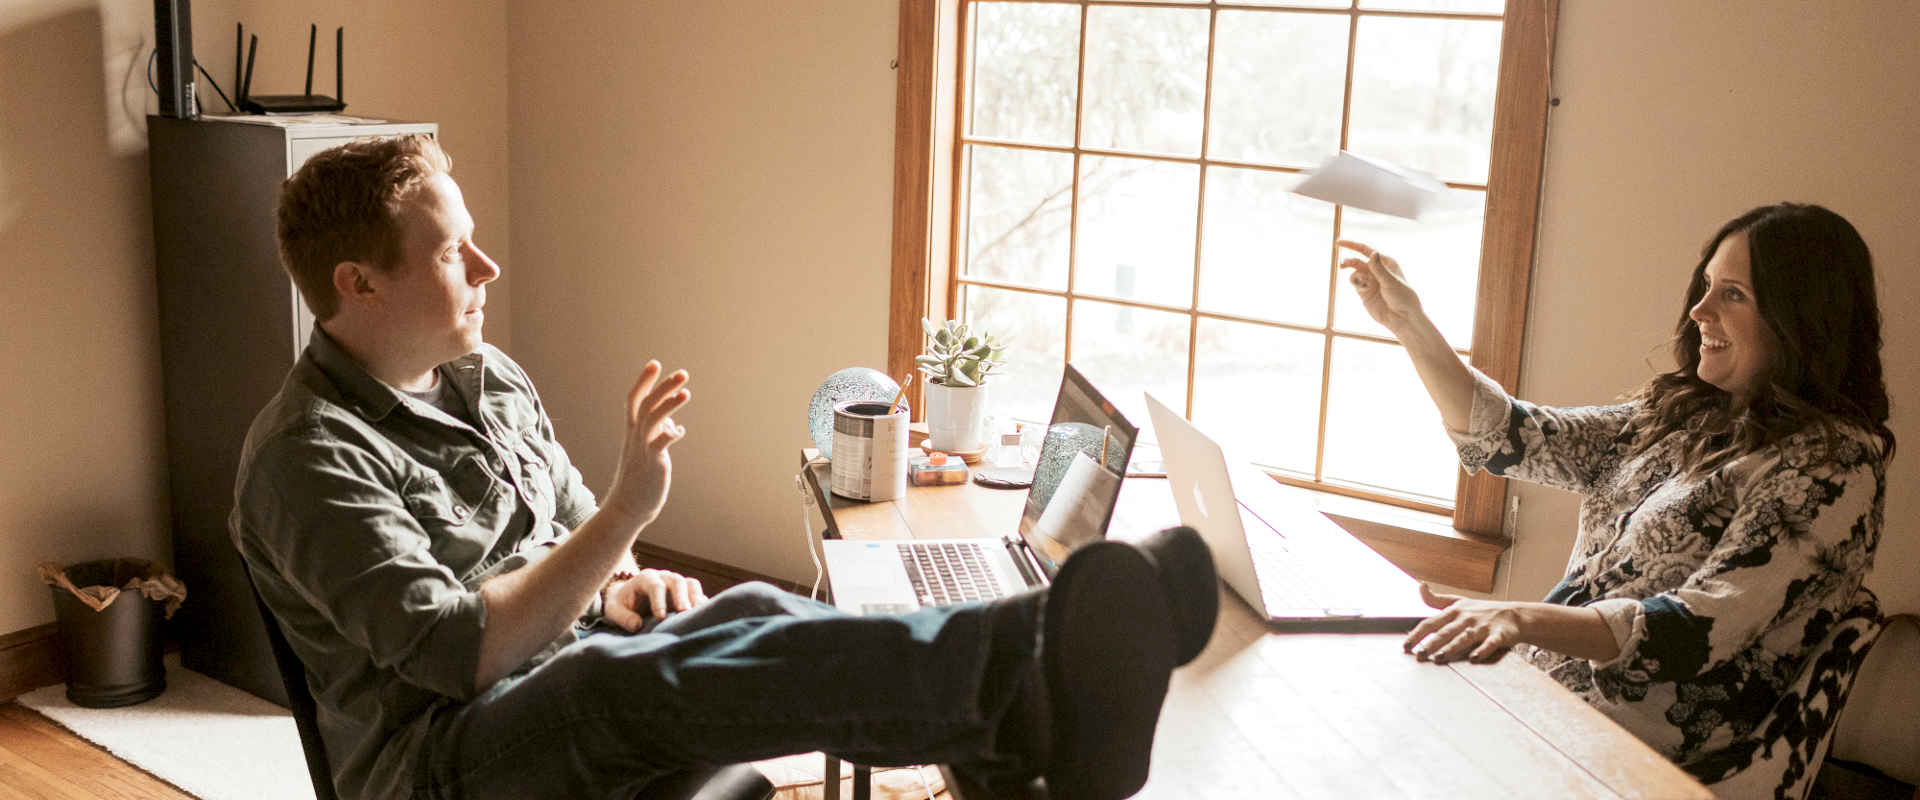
738	782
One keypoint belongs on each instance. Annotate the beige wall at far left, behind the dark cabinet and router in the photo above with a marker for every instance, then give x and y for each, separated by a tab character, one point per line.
82	454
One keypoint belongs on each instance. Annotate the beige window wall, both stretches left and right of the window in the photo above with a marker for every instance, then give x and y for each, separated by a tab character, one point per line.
725	170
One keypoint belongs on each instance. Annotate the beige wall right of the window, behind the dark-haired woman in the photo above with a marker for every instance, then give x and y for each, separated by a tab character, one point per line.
1673	120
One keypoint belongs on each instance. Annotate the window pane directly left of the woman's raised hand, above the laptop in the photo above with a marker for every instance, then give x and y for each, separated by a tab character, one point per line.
1262	385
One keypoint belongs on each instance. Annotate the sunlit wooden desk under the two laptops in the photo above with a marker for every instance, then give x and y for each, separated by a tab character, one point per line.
1264	715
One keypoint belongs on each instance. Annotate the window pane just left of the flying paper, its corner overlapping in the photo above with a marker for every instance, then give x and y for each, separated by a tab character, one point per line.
1264	252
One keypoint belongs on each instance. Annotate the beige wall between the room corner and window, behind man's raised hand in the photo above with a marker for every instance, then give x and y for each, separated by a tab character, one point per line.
709	185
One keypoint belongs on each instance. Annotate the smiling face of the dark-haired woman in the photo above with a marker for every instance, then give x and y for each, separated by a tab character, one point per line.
1735	344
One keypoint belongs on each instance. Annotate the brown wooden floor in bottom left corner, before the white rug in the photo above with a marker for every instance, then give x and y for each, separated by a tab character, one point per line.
41	759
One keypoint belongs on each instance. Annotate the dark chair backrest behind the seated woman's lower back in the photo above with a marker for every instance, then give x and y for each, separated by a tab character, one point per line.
1800	728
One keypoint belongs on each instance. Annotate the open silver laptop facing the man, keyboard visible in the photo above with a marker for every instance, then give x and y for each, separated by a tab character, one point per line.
1070	504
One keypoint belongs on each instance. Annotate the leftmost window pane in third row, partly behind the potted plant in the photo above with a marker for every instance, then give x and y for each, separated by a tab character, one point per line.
1036	333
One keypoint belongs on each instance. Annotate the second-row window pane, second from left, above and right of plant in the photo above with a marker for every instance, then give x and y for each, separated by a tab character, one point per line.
1138	229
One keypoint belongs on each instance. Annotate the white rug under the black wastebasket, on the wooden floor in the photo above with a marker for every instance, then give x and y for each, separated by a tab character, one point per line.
203	736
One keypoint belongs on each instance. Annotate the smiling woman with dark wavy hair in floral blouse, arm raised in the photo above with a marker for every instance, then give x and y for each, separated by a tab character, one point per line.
1731	507
